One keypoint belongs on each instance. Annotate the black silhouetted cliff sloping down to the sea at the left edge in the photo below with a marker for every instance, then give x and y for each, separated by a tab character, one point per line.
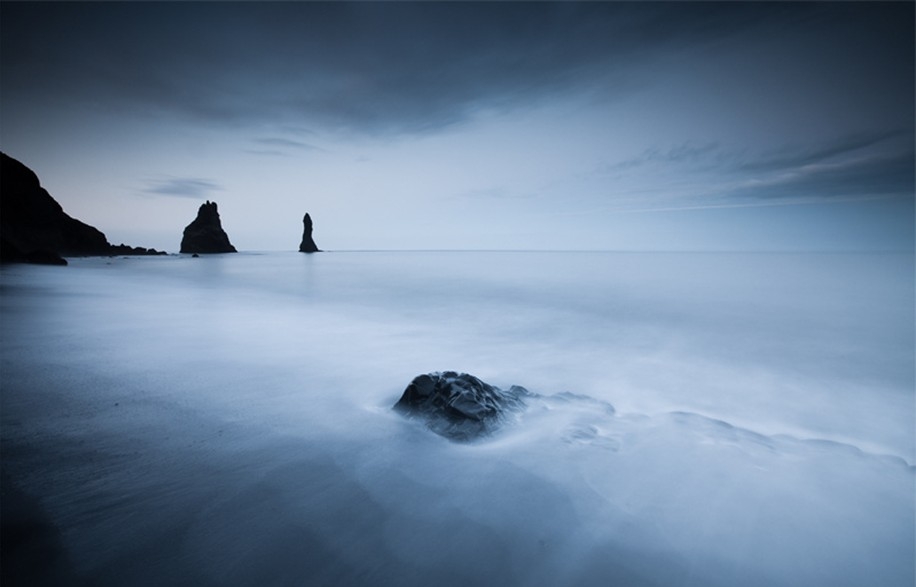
35	229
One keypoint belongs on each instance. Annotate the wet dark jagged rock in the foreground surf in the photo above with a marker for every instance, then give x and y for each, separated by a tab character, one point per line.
459	406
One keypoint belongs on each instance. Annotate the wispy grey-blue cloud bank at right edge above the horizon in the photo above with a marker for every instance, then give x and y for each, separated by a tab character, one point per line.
859	166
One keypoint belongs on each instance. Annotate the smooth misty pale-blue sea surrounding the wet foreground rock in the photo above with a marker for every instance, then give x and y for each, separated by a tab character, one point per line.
737	418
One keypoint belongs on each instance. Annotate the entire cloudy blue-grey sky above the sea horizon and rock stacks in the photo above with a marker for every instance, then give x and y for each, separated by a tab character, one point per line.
473	125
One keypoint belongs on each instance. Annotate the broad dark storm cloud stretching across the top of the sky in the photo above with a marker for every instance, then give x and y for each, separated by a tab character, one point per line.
368	67
